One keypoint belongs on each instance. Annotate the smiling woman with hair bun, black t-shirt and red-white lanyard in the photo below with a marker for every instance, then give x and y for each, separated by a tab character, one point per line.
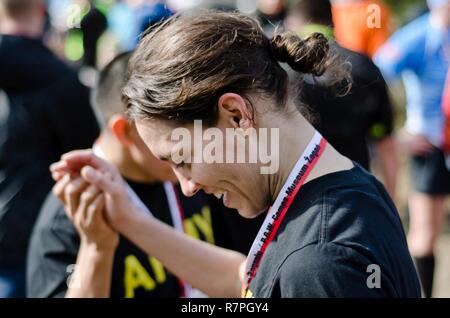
330	230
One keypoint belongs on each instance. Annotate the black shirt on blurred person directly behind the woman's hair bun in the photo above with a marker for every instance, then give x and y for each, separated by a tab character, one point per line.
347	122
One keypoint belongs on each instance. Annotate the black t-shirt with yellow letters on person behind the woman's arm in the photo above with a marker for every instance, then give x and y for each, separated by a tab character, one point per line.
55	242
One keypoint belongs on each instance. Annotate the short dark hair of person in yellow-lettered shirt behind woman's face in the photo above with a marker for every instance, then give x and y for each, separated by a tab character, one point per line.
108	93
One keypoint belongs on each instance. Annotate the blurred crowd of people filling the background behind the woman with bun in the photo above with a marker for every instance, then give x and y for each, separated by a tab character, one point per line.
63	65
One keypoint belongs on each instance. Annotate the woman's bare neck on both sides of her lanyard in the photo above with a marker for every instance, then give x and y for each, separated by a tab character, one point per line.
295	135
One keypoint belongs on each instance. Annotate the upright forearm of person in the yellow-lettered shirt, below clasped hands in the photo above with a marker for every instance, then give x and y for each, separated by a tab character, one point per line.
92	275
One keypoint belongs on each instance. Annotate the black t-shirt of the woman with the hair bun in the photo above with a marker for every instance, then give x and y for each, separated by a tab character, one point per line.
341	236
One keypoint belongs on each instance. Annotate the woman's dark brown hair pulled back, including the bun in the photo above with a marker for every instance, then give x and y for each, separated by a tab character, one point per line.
182	66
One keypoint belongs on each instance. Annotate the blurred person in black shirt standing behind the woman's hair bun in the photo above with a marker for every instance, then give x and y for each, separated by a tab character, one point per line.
349	122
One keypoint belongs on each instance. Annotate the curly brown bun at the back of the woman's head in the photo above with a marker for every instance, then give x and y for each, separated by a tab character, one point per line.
307	56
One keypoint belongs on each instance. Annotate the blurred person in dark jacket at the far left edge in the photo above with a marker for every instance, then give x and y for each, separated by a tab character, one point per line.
45	112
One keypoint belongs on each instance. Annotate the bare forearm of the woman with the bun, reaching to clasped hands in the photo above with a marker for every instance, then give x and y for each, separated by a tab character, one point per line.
212	269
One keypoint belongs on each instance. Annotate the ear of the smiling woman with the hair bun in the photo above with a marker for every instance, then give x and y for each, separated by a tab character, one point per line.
234	110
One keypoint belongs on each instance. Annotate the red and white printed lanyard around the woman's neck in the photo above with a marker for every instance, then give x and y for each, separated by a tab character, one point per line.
278	210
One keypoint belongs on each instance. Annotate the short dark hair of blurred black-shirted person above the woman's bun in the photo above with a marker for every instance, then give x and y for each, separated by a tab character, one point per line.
314	11
